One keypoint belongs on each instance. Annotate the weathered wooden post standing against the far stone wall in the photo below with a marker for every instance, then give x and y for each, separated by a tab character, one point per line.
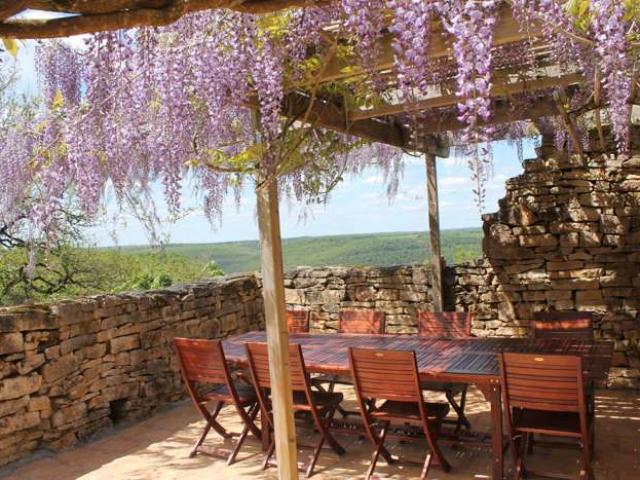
434	233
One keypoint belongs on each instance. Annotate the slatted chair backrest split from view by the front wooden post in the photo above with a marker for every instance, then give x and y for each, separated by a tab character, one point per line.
258	356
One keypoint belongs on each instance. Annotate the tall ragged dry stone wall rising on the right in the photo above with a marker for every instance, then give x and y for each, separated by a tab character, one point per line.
567	237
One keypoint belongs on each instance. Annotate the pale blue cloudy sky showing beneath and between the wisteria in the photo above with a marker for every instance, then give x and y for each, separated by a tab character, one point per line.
358	205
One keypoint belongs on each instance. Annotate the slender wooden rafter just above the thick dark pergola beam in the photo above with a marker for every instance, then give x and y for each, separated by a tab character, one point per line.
497	90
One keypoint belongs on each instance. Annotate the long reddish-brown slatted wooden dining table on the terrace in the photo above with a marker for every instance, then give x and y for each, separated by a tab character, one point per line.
471	360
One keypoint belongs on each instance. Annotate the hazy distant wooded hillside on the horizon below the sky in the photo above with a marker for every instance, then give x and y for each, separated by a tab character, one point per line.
379	249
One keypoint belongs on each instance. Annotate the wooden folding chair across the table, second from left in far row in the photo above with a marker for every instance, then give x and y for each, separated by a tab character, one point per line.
351	321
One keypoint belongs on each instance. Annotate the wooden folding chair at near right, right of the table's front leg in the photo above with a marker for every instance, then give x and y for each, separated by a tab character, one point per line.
545	394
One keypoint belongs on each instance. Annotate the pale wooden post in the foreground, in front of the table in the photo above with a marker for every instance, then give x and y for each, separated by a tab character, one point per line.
277	332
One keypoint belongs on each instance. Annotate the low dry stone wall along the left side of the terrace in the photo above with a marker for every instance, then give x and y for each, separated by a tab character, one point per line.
71	369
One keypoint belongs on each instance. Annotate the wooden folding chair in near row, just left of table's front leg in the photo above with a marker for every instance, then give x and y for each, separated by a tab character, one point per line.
393	377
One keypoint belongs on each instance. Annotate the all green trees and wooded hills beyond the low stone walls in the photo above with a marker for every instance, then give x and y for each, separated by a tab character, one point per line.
65	271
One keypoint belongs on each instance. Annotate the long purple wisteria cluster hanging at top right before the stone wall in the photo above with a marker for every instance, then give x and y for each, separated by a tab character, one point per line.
609	30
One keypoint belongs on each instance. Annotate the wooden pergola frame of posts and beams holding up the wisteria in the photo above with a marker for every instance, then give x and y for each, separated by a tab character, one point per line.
414	126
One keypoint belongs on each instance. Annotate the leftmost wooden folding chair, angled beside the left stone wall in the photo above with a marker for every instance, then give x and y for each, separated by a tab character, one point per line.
203	364
